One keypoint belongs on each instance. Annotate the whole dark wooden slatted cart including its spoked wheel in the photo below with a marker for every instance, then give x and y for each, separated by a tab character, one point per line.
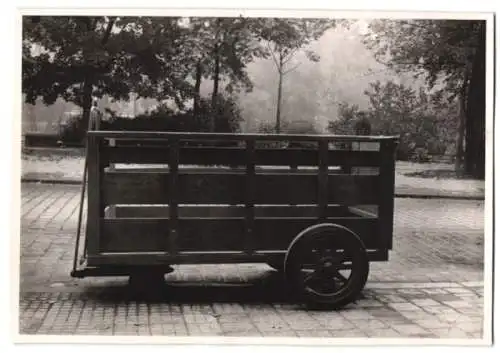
229	198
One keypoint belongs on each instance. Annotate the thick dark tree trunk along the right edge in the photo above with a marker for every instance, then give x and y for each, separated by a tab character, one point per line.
475	124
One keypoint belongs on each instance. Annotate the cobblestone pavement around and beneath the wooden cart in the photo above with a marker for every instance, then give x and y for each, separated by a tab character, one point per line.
432	285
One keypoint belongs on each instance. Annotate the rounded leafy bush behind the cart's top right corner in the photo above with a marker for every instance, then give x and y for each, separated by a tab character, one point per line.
418	117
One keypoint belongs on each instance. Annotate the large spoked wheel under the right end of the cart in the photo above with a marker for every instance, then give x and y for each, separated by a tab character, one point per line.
327	265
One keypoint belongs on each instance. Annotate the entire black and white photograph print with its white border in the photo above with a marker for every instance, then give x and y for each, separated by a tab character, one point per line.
258	176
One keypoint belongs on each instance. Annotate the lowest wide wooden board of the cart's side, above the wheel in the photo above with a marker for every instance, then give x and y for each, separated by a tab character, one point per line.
148	235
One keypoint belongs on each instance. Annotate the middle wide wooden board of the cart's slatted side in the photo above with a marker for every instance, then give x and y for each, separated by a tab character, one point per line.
229	188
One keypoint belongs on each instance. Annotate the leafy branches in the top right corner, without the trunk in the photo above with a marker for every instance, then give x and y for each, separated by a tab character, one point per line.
437	49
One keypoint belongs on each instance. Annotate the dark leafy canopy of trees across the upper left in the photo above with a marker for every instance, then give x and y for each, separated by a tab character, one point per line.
80	57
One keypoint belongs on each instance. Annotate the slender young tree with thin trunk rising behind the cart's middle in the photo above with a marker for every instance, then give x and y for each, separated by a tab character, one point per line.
284	39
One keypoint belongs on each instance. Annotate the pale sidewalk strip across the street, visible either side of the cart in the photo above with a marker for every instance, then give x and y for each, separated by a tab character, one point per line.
66	169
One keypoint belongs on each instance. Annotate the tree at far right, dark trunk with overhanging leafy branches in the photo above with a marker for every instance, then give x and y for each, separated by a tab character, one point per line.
451	55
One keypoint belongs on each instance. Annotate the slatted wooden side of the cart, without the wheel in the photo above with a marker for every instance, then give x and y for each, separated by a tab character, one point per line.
215	214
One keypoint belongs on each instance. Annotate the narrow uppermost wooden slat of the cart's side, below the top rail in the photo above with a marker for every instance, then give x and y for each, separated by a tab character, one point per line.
236	156
